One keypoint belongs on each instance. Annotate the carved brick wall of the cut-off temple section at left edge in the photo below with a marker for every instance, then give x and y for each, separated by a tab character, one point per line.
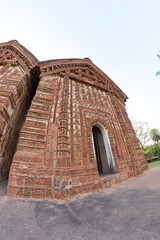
15	96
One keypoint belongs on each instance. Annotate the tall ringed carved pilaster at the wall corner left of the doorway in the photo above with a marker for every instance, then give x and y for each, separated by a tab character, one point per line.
62	176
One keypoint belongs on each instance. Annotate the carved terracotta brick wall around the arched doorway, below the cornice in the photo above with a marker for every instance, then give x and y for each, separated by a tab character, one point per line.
55	156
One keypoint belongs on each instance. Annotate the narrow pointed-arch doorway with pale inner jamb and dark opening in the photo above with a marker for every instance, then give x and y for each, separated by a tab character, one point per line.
102	150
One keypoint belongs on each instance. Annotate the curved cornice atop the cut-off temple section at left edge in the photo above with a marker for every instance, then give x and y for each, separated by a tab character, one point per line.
19	54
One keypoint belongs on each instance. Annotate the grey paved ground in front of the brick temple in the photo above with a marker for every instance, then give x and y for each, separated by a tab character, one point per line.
129	211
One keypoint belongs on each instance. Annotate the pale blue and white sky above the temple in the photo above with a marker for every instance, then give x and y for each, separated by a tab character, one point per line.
121	37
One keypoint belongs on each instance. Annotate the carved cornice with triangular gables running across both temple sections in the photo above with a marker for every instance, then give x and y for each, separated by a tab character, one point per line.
82	70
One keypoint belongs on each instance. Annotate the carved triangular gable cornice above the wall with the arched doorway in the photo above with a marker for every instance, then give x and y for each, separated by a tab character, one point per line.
82	70
